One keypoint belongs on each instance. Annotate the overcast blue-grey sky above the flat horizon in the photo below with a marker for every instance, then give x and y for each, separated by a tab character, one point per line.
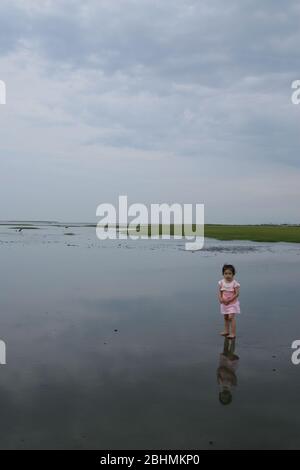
163	100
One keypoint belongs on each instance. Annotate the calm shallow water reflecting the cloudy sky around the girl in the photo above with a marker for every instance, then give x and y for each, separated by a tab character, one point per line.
72	381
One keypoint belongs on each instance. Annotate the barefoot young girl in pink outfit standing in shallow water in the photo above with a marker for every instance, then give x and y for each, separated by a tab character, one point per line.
229	290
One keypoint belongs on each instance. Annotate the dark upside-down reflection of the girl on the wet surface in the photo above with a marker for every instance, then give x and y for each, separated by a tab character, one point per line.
226	372
